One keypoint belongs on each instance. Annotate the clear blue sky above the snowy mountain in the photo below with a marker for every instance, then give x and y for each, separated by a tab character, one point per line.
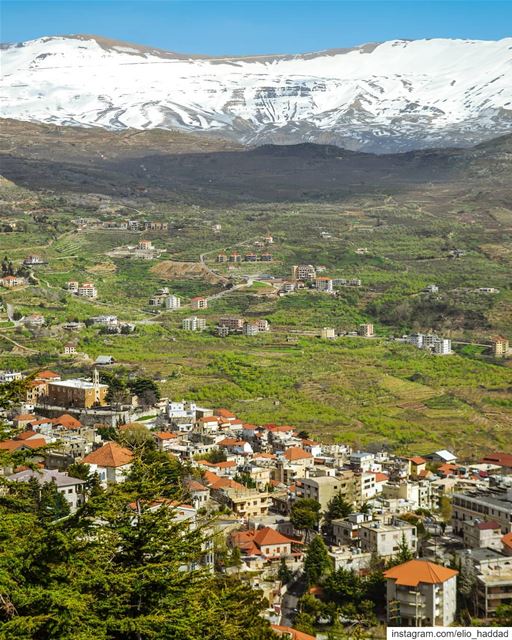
266	26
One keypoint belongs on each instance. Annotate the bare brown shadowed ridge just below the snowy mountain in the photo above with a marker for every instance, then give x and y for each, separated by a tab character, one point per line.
176	166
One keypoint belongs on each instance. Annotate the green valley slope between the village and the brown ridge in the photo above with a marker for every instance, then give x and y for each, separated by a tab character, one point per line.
352	390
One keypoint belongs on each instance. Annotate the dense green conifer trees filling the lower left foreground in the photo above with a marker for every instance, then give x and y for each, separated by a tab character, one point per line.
124	567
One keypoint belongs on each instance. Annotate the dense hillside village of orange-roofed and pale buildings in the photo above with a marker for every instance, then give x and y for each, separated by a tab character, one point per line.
291	510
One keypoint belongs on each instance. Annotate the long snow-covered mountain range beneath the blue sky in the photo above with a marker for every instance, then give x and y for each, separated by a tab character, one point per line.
397	95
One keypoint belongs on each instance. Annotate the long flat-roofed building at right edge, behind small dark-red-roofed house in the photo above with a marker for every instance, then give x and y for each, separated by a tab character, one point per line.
493	505
